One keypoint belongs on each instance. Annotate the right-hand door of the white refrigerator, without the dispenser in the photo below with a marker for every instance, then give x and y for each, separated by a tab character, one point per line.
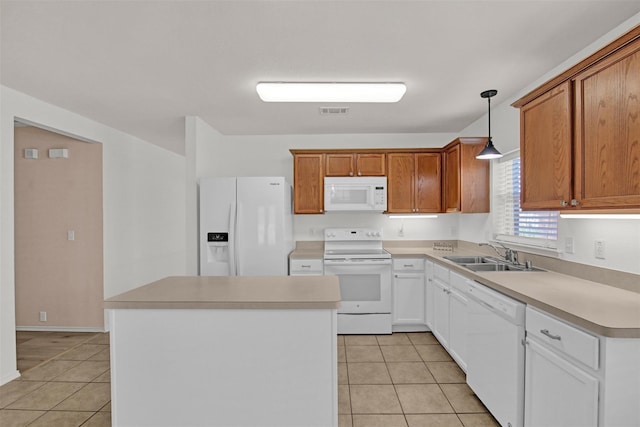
263	230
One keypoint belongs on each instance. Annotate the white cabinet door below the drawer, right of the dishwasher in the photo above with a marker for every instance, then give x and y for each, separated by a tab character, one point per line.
557	392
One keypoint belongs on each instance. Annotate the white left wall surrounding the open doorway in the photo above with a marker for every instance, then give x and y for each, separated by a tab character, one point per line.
144	199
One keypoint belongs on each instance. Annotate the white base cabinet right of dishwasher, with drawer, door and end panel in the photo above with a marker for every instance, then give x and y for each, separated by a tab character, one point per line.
576	378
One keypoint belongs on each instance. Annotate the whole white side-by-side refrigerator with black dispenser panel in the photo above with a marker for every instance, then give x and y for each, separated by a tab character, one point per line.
245	226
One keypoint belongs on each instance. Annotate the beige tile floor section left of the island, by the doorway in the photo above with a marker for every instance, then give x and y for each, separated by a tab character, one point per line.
65	381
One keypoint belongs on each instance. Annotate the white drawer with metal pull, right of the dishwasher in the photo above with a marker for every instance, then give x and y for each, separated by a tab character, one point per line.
563	337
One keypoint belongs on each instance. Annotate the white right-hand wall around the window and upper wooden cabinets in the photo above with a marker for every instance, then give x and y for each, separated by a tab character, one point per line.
622	237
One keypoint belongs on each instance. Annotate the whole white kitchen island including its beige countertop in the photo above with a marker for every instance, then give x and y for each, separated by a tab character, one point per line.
225	351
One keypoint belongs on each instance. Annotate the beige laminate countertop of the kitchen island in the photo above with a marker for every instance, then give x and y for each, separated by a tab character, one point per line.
245	292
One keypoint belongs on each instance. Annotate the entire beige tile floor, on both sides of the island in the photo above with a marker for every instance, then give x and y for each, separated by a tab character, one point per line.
398	380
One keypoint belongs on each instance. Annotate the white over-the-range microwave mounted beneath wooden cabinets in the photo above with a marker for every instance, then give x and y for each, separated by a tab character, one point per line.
355	194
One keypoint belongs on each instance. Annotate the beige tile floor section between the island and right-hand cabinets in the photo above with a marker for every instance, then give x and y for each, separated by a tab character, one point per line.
403	380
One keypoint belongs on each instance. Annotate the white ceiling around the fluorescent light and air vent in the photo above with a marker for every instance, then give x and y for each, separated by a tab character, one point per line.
141	66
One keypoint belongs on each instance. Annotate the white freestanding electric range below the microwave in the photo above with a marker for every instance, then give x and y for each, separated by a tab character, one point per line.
363	268
